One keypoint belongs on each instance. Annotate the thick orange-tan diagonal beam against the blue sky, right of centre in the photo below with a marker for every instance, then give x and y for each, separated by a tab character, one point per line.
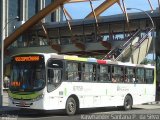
101	8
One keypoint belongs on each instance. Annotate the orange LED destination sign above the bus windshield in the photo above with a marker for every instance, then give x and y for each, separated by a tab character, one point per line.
28	58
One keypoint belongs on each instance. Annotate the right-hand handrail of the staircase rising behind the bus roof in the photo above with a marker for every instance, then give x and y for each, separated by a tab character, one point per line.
144	38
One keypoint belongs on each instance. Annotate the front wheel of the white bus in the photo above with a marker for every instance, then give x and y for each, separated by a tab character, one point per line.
71	106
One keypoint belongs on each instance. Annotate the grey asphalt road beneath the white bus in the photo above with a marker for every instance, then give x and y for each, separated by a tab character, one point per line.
145	113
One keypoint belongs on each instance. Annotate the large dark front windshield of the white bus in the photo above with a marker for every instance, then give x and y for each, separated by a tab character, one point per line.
28	76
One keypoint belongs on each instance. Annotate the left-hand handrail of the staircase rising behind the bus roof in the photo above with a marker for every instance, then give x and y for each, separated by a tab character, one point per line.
132	37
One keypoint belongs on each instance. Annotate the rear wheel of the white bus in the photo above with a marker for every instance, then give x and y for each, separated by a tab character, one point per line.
128	102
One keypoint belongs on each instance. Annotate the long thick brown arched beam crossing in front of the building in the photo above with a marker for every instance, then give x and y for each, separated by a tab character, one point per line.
32	21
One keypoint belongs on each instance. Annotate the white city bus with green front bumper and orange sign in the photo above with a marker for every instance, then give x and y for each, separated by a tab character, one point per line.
48	81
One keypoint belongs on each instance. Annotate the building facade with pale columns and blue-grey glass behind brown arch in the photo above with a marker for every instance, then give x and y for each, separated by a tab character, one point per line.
16	12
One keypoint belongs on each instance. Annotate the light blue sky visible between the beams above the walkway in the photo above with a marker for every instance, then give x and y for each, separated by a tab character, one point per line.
80	10
